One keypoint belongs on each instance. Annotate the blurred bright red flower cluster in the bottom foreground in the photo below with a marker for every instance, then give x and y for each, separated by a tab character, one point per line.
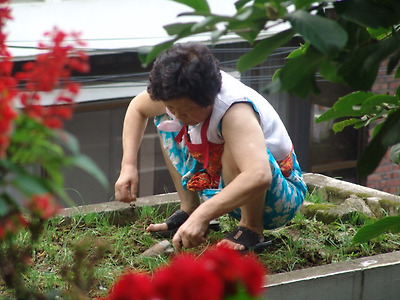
217	274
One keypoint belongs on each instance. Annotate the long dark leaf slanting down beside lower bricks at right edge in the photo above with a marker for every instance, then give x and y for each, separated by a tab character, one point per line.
388	135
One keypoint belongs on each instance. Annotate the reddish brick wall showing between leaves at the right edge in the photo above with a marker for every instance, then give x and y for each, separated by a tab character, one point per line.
386	177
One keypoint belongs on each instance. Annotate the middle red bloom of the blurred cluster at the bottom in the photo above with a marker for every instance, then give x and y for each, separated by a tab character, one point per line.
187	279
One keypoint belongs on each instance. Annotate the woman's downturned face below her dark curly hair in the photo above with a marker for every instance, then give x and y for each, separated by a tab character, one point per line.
188	111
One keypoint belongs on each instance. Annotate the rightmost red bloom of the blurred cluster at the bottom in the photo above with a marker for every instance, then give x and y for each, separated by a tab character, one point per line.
236	270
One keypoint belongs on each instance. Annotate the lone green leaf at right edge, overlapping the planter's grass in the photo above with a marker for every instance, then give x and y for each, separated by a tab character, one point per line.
381	226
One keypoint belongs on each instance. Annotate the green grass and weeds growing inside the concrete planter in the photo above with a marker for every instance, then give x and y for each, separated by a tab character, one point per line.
106	250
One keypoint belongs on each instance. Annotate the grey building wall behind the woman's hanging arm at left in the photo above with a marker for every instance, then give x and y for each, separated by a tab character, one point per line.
98	127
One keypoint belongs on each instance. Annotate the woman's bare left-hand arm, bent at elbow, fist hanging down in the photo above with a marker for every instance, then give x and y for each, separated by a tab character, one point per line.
139	110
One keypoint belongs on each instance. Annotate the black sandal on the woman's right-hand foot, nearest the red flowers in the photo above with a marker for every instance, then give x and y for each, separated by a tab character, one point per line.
249	239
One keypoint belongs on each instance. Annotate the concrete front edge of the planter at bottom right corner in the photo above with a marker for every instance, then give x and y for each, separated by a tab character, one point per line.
369	278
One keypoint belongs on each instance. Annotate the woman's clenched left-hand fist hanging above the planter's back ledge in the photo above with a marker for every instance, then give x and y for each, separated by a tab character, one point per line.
126	186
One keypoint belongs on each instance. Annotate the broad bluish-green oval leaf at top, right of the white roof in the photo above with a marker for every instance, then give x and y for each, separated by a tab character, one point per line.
324	34
